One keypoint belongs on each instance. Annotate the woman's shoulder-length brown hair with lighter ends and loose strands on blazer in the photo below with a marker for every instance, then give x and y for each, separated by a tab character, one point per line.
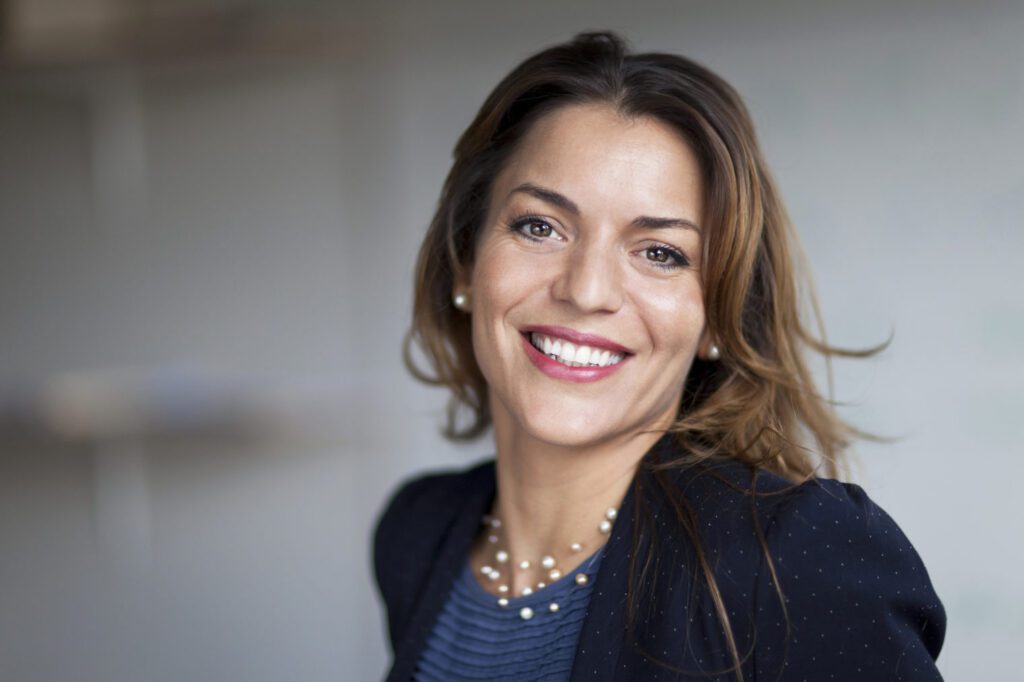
758	404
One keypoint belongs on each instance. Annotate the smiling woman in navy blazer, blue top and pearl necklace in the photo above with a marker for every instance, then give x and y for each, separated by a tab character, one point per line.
610	284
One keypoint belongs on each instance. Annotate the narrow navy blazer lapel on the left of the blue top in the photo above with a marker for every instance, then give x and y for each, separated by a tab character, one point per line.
477	497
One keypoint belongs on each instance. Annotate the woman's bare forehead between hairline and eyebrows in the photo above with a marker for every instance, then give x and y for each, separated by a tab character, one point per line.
602	159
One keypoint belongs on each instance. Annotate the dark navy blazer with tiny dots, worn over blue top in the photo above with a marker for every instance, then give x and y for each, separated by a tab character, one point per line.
859	601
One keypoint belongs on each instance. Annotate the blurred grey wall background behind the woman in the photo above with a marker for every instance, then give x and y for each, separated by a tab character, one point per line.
209	214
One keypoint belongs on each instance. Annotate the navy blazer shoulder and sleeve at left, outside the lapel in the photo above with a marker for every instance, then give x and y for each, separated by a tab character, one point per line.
412	527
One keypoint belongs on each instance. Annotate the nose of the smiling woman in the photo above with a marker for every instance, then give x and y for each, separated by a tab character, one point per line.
590	278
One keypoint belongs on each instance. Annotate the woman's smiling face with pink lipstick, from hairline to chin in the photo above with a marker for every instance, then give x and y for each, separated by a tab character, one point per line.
592	241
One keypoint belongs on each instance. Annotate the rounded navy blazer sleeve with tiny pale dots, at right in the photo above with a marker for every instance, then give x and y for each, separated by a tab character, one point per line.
850	587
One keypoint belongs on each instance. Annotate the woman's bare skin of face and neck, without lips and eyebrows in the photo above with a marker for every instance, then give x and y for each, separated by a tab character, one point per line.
567	452
